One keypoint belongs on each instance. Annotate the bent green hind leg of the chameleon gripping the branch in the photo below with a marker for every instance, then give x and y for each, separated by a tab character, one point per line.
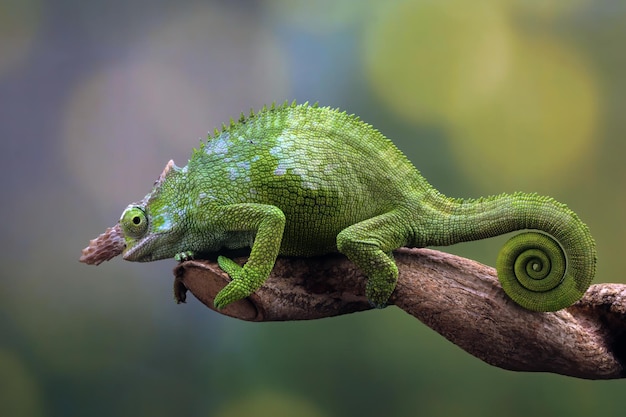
368	244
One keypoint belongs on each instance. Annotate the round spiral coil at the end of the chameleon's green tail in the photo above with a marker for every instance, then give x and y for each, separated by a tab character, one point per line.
551	267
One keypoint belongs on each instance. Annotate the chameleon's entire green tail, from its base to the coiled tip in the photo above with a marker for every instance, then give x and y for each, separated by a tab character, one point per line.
546	268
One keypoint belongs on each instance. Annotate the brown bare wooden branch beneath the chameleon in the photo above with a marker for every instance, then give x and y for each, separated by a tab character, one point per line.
459	298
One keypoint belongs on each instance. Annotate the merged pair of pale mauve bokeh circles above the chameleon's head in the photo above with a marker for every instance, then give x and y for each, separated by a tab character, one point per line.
183	80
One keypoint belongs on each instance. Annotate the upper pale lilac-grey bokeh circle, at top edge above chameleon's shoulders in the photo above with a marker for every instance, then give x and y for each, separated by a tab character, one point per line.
225	52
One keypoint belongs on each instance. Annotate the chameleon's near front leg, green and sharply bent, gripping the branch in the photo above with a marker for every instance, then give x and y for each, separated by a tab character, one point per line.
269	223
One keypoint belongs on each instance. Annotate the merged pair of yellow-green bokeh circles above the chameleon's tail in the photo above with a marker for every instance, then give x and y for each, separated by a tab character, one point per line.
514	105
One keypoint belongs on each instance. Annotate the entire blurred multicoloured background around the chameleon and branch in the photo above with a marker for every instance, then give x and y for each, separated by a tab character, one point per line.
95	97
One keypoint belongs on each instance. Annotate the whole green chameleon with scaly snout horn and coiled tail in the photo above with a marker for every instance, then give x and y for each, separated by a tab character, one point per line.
306	180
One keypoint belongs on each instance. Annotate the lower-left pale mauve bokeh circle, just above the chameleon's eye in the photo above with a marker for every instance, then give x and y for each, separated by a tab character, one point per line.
113	129
